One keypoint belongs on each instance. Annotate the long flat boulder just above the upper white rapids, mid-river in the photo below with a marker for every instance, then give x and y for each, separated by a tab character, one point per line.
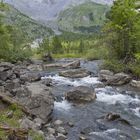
75	73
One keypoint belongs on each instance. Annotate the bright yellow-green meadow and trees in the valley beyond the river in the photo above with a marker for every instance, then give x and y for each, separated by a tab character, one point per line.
61	46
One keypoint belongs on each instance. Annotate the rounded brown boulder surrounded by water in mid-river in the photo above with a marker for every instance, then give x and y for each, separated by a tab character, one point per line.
81	94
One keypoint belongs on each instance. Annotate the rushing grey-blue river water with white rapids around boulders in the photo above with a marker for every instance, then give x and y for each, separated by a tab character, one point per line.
87	118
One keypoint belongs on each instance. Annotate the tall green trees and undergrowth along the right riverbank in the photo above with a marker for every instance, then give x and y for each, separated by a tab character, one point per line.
122	36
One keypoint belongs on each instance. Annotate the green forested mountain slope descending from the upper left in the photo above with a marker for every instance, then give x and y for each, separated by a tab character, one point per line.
29	27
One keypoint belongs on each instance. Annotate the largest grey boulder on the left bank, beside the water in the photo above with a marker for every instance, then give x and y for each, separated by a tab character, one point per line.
41	102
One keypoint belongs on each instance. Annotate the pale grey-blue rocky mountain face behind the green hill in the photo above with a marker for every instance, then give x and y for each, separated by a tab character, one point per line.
45	10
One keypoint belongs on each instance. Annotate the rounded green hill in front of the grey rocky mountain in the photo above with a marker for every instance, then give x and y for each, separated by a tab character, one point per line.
86	17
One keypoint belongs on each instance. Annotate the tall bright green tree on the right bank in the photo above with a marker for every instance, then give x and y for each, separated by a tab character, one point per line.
121	30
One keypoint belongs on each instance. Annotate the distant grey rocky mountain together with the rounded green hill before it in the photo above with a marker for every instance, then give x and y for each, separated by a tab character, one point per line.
53	13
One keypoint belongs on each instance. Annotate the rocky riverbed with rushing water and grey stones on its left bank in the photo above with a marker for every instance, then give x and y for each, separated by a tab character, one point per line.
72	99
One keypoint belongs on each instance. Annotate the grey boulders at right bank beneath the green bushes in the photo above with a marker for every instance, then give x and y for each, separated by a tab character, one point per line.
114	79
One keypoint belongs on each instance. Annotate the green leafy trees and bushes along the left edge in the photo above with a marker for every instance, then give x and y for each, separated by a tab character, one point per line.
13	43
